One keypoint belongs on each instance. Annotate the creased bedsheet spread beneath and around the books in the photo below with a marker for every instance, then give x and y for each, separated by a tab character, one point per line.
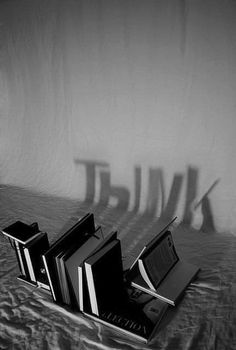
204	319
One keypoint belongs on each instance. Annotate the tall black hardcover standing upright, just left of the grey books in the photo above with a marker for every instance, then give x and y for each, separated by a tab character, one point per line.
75	236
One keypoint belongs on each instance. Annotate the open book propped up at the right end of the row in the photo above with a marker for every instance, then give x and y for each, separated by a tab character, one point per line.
159	271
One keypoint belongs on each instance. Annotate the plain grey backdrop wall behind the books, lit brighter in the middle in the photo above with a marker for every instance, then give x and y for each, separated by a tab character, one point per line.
135	94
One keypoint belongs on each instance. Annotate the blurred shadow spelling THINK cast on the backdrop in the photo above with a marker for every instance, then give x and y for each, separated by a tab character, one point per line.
158	205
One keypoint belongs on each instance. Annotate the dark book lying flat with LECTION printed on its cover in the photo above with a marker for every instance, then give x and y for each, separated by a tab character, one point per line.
139	316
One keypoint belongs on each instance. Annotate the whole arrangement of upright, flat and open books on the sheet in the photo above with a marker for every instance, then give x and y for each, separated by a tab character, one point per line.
84	271
